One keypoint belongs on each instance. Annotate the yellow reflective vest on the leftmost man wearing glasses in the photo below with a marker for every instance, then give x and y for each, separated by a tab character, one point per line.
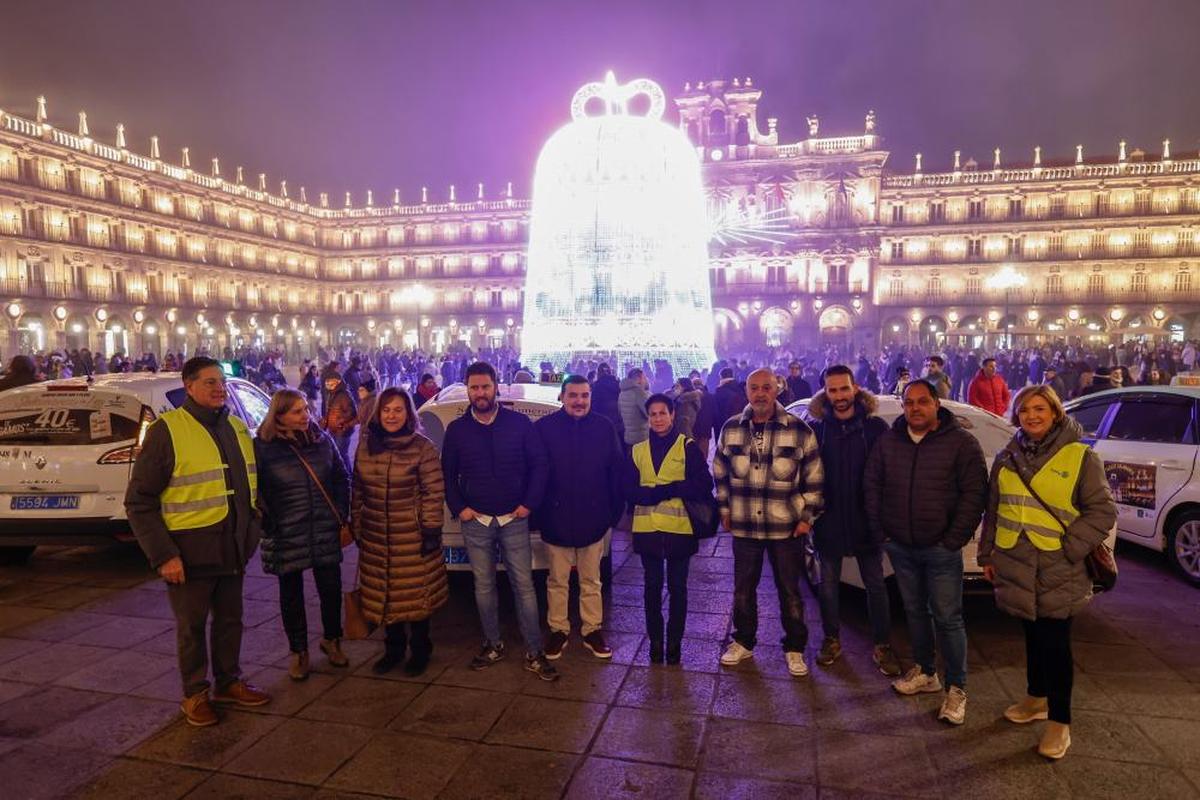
197	496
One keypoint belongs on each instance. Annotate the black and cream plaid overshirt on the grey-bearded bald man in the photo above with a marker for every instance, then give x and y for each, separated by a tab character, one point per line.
769	486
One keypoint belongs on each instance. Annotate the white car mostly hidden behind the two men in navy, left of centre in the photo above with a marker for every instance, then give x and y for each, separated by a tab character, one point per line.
536	401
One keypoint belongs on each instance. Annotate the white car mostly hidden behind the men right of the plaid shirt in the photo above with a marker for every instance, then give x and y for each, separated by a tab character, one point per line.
992	431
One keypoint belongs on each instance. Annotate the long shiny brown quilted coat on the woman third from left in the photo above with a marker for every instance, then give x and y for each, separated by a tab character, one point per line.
398	492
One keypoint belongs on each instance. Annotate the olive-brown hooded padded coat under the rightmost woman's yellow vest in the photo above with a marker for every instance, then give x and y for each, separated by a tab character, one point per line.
1030	582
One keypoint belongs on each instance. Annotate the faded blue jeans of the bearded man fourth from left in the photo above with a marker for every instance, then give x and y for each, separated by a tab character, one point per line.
518	555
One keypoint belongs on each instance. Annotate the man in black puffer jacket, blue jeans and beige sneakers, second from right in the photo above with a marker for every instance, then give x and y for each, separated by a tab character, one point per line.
926	488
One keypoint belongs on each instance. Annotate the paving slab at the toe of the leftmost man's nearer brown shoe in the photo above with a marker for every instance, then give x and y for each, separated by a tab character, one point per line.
208	748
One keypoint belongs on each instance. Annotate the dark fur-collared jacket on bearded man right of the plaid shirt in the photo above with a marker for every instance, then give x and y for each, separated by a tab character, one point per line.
845	446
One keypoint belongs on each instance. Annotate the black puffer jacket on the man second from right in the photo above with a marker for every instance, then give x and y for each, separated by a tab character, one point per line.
929	494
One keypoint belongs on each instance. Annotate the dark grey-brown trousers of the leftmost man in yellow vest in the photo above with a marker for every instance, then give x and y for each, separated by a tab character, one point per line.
193	603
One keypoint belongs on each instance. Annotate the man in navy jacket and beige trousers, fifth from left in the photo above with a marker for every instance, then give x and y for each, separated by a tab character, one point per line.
584	501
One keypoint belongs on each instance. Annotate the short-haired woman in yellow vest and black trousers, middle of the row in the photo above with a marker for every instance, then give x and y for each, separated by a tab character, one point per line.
662	473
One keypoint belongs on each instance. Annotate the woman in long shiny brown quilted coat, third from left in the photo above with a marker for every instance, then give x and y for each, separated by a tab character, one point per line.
397	515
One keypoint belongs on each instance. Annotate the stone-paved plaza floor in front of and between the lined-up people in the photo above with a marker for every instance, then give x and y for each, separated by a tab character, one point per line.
89	703
